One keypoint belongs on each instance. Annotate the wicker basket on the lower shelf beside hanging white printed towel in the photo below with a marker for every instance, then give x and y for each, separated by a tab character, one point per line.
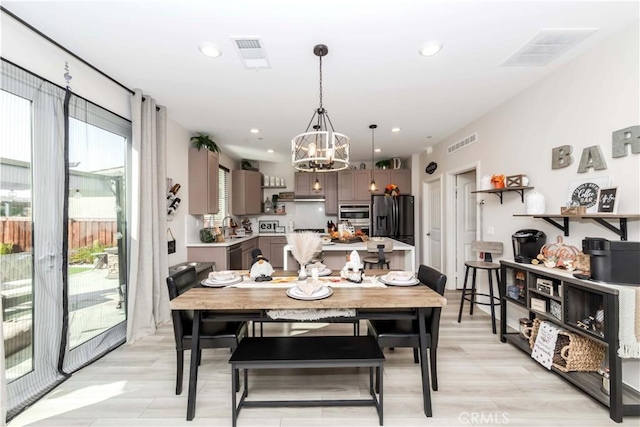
573	352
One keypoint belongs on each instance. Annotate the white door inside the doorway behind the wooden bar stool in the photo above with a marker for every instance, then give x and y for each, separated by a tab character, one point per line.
465	222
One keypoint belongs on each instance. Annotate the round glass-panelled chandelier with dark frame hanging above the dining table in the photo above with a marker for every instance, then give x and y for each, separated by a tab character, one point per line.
321	149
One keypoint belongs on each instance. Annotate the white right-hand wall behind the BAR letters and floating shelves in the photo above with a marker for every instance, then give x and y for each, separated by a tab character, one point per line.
581	104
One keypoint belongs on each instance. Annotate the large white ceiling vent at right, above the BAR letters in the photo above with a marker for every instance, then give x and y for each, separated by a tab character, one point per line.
546	46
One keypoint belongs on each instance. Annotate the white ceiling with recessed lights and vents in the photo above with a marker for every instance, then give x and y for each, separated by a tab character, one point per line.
372	74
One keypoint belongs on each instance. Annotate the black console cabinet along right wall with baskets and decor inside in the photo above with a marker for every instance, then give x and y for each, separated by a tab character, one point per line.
585	309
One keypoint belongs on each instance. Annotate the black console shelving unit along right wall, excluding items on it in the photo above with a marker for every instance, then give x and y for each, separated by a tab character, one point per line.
578	299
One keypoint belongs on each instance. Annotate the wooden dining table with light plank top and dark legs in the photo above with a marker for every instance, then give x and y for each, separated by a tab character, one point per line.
251	304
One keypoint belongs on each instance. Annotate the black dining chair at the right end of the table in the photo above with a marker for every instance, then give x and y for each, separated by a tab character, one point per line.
405	333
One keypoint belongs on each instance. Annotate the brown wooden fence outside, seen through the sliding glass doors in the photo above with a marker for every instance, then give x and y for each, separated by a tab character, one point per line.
82	233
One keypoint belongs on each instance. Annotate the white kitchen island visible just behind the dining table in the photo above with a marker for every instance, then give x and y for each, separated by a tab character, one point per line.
335	254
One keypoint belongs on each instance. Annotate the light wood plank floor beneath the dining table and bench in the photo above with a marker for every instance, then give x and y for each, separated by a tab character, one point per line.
482	382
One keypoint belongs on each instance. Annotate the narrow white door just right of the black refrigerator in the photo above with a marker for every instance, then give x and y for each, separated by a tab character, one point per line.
433	238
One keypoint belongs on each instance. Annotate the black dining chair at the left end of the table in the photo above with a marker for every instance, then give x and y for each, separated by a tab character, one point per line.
213	334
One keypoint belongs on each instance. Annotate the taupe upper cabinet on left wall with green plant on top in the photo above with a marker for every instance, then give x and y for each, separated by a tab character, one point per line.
203	182
